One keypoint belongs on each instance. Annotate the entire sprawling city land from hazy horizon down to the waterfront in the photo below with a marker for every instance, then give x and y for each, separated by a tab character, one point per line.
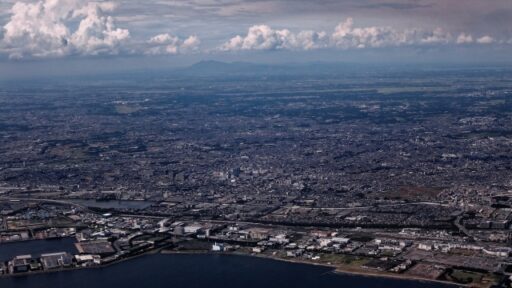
327	170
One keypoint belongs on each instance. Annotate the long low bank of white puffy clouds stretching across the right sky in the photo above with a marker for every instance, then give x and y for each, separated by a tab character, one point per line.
345	36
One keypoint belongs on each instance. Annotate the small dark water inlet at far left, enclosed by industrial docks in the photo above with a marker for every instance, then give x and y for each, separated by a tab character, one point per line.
36	248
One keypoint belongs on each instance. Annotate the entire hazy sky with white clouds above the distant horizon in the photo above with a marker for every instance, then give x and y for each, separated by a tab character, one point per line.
68	36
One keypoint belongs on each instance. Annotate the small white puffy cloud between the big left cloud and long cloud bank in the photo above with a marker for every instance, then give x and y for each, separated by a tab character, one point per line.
169	44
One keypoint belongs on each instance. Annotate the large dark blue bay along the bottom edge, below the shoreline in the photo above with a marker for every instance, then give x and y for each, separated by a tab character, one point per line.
177	271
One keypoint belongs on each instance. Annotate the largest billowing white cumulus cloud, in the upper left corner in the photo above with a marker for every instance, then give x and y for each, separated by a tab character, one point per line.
42	29
